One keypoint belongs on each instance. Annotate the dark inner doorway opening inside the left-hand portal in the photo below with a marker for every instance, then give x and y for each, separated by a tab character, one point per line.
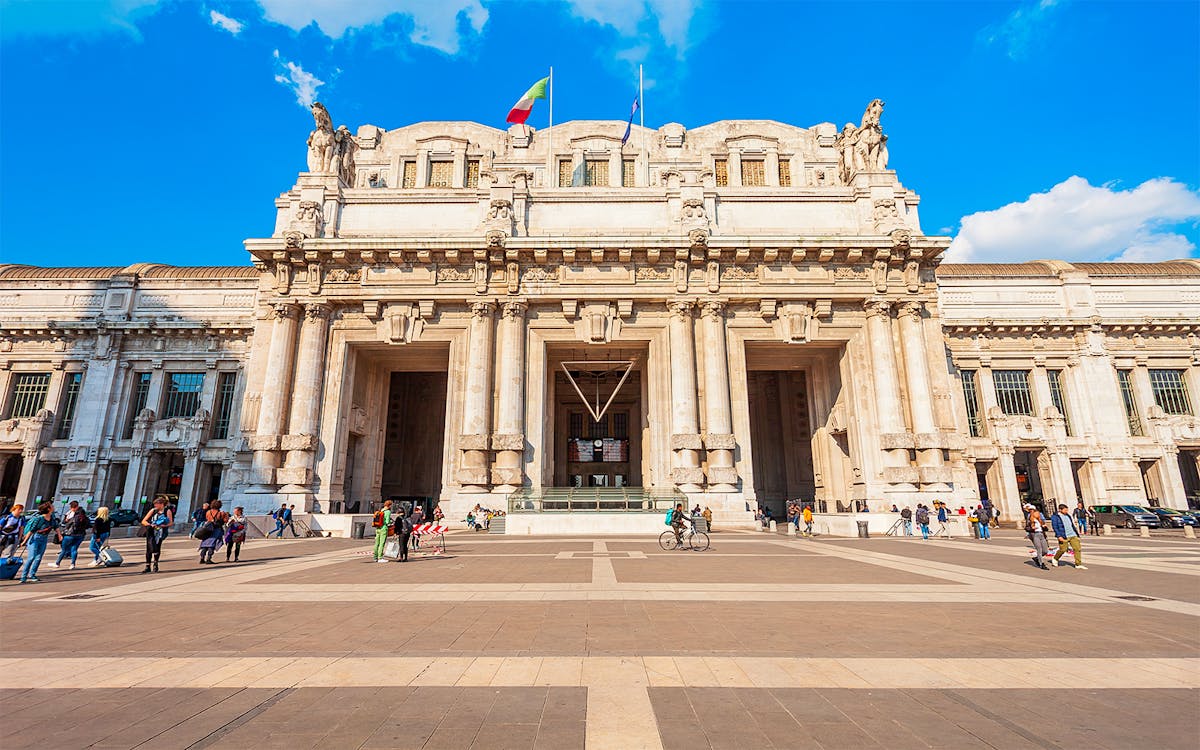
415	437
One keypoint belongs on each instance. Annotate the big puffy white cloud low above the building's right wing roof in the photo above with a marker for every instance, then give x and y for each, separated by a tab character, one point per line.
1078	221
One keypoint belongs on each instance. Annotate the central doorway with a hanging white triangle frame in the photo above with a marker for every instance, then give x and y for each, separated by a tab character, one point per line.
598	397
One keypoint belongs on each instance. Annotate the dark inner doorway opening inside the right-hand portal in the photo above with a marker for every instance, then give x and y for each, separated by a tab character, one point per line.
782	434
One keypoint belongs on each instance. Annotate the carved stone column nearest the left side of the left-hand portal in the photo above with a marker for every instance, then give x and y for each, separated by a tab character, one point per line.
301	443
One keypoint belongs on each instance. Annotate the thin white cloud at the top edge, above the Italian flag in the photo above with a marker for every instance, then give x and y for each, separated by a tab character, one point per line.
436	23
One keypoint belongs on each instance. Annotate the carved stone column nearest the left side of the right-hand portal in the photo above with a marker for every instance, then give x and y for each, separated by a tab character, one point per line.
723	476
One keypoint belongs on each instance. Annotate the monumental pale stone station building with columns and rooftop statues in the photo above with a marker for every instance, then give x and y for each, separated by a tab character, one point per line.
745	313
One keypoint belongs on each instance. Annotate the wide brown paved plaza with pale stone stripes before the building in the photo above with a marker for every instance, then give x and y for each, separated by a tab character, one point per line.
764	641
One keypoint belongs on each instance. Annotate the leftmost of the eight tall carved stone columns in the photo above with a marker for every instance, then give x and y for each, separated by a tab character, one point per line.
277	392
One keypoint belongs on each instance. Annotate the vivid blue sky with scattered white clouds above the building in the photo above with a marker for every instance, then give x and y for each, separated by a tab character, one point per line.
135	130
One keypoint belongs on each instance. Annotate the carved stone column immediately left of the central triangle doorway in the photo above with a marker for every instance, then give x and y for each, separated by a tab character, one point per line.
509	439
